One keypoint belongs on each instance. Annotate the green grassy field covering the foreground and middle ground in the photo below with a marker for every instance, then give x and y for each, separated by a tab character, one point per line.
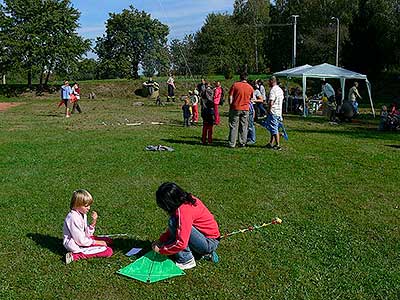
336	188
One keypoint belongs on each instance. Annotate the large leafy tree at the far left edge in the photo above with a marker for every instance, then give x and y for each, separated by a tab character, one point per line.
43	35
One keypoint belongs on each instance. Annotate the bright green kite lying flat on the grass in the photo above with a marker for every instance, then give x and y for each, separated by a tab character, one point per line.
151	267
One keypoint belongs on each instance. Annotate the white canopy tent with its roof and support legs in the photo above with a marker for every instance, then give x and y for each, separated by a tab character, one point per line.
324	71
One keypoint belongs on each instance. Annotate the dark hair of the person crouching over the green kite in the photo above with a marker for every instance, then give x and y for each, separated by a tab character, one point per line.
170	196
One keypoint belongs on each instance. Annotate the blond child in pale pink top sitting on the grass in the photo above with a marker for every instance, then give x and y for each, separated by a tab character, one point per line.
78	236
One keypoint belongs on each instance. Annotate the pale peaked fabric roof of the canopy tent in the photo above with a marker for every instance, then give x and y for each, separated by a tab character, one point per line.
321	71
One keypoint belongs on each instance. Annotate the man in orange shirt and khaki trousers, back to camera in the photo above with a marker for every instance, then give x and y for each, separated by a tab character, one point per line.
239	100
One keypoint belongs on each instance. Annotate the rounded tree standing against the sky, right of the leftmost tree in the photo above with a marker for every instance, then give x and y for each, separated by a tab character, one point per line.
129	36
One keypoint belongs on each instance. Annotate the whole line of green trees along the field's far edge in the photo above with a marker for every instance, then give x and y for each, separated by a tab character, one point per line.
39	40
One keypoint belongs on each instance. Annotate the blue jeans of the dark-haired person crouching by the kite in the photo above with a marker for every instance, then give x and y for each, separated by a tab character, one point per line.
198	243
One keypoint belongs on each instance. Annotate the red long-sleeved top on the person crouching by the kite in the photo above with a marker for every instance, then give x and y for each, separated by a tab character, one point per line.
188	215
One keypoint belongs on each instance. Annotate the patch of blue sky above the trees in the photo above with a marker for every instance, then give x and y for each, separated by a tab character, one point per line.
182	17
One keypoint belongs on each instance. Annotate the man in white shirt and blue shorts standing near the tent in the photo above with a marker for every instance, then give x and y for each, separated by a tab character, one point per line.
274	119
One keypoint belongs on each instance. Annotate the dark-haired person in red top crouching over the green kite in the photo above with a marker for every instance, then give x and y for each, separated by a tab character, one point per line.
191	227
